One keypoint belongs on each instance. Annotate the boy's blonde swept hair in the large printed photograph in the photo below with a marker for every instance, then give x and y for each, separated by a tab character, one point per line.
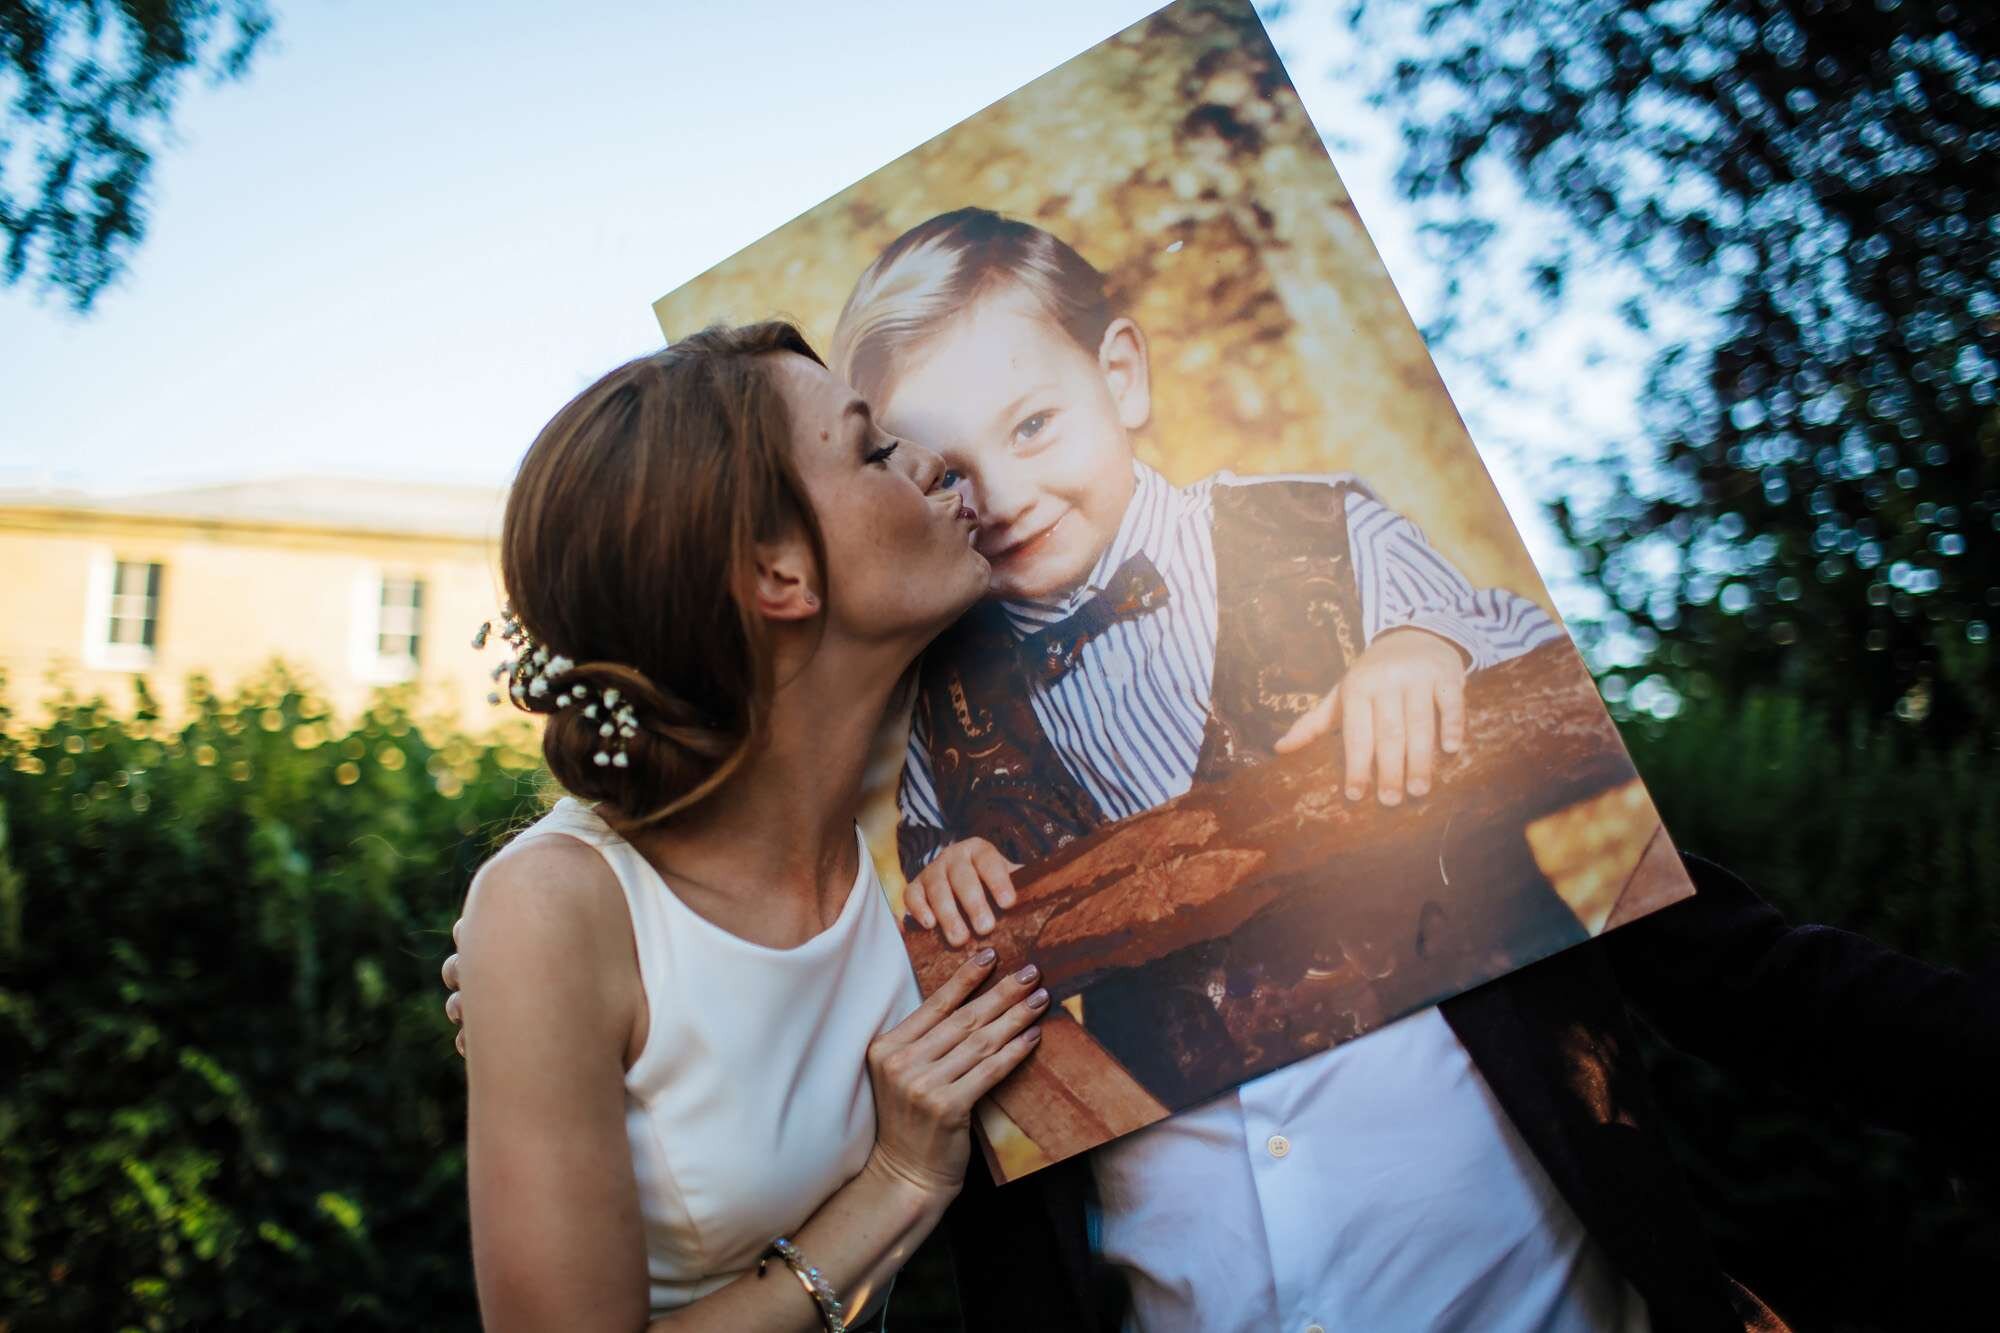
939	269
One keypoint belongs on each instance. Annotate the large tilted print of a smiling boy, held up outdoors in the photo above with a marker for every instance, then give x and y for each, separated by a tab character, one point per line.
1267	722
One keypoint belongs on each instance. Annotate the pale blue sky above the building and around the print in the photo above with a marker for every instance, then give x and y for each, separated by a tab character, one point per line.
411	235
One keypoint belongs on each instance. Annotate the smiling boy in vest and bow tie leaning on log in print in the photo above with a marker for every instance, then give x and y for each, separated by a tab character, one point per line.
1143	639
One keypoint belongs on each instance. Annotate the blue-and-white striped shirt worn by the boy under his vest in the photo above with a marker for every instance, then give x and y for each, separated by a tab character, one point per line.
1129	720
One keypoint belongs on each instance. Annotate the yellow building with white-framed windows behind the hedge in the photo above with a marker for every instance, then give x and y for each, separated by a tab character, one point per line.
351	583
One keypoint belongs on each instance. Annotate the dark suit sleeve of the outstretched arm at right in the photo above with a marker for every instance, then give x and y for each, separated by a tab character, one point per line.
1829	1014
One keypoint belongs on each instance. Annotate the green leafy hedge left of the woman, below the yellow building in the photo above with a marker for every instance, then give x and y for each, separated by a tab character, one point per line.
235	1098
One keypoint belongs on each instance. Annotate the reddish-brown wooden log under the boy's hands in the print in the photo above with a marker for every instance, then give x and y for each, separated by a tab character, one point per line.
1203	866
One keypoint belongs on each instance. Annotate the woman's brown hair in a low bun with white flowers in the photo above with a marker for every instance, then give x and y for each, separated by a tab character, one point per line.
629	545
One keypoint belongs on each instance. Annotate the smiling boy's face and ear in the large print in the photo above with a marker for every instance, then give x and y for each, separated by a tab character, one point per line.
1037	429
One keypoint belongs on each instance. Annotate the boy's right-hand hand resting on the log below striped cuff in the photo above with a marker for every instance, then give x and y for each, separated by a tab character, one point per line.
1403	702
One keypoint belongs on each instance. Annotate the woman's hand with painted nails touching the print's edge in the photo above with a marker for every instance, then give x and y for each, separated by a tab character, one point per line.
935	1066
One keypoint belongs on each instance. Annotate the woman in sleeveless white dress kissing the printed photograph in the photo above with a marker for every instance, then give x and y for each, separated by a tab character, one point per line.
699	1052
